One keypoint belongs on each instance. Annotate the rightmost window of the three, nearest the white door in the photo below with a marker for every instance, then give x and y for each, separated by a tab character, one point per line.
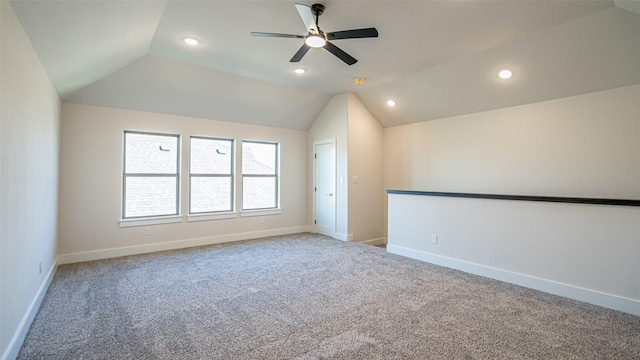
259	175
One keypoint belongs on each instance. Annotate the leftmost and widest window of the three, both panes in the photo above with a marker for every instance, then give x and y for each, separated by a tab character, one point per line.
151	175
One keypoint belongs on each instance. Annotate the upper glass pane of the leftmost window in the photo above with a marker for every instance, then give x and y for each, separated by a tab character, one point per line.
150	154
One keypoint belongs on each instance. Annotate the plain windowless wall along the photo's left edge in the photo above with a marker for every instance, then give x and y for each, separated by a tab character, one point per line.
30	115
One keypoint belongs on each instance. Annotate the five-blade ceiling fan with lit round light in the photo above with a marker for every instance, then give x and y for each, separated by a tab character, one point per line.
316	38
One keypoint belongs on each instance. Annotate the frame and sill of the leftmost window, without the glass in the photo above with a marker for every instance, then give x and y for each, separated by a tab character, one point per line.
126	221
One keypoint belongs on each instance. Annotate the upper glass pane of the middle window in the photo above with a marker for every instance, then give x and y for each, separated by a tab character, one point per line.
211	156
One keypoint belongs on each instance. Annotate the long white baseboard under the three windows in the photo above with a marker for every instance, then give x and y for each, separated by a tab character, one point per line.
172	245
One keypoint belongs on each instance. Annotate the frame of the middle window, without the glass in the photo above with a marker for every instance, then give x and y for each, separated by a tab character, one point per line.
220	214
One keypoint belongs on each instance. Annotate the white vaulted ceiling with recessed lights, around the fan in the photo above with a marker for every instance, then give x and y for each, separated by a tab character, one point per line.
435	58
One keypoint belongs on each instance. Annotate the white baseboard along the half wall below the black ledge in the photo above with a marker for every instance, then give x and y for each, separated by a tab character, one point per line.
631	306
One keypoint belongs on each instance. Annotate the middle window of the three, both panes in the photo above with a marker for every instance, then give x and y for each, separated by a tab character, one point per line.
211	175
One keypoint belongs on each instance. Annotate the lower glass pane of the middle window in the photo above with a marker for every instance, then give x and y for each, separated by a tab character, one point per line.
209	194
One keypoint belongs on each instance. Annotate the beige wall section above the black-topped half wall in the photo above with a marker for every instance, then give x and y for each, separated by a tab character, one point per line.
578	146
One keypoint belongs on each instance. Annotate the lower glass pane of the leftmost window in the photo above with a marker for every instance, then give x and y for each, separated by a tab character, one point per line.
150	196
